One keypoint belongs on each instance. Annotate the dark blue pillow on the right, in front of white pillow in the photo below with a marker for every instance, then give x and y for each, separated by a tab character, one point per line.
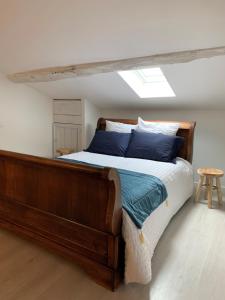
154	146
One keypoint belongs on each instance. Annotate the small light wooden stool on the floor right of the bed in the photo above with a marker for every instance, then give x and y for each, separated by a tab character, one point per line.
207	176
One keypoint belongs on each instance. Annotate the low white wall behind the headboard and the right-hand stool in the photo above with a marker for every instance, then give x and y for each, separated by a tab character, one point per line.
209	142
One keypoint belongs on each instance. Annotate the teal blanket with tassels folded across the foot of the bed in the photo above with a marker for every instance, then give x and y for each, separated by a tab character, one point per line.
141	194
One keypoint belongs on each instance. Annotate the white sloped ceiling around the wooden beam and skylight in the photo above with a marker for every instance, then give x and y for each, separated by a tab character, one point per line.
45	33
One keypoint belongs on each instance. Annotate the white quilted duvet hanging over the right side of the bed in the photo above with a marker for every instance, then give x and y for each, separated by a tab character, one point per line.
140	244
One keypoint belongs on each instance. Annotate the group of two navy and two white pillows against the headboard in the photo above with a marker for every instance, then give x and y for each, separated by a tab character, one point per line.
146	140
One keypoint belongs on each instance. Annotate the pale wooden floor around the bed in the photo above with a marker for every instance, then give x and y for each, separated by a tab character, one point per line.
189	264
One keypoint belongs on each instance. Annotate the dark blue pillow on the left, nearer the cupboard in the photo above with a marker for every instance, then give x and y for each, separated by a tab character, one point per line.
110	143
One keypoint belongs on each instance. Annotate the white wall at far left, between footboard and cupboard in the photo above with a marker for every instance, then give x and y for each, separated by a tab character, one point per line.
25	119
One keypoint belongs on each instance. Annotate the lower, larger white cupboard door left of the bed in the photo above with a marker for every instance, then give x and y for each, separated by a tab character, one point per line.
67	136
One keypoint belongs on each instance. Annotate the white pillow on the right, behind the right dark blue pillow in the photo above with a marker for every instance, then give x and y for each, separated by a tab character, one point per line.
157	127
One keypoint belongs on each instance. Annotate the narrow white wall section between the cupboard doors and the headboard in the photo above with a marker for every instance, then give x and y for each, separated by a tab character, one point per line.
91	115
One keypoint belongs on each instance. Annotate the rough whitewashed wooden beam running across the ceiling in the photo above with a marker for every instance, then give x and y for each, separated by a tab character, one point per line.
86	69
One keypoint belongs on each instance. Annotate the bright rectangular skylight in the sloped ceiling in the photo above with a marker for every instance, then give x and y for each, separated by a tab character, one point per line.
148	83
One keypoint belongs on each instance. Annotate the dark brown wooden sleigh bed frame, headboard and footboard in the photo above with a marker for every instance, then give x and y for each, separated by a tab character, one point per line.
74	210
